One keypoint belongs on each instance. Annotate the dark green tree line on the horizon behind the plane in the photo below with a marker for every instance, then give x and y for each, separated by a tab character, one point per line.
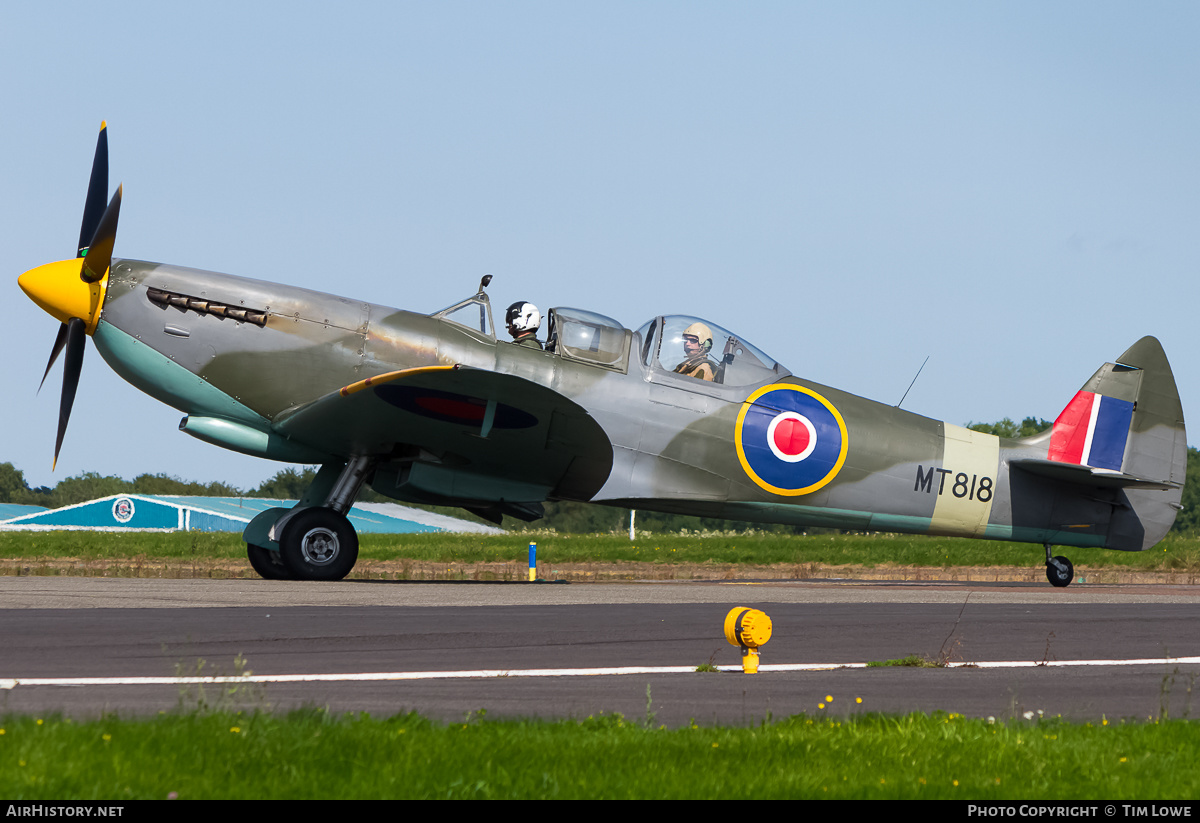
562	516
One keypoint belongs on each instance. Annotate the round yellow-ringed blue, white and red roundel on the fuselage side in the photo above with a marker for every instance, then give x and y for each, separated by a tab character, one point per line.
791	441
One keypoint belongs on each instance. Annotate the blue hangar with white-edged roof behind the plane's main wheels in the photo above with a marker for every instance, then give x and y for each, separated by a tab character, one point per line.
167	513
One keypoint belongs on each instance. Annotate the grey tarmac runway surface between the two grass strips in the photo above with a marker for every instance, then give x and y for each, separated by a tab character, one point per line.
86	646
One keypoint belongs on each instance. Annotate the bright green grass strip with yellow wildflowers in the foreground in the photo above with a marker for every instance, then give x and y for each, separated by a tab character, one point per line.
313	755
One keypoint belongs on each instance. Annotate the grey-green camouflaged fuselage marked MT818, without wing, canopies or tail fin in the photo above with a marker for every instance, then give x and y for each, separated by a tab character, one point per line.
254	353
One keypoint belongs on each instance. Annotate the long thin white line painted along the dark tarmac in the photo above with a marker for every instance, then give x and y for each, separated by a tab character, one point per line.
13	683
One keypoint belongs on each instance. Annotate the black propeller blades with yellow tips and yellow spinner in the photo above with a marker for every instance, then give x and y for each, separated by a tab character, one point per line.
49	287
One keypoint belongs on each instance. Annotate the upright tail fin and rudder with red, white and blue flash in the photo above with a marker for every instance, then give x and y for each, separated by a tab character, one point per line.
1127	424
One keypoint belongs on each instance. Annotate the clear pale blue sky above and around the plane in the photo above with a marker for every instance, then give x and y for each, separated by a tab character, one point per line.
1007	188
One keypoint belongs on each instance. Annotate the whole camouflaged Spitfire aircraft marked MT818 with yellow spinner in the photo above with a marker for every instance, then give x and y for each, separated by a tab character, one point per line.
679	416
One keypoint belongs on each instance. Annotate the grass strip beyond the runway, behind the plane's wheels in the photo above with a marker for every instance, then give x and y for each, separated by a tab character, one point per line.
1175	554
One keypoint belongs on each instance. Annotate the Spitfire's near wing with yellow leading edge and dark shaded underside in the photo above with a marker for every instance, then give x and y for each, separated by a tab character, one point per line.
475	422
